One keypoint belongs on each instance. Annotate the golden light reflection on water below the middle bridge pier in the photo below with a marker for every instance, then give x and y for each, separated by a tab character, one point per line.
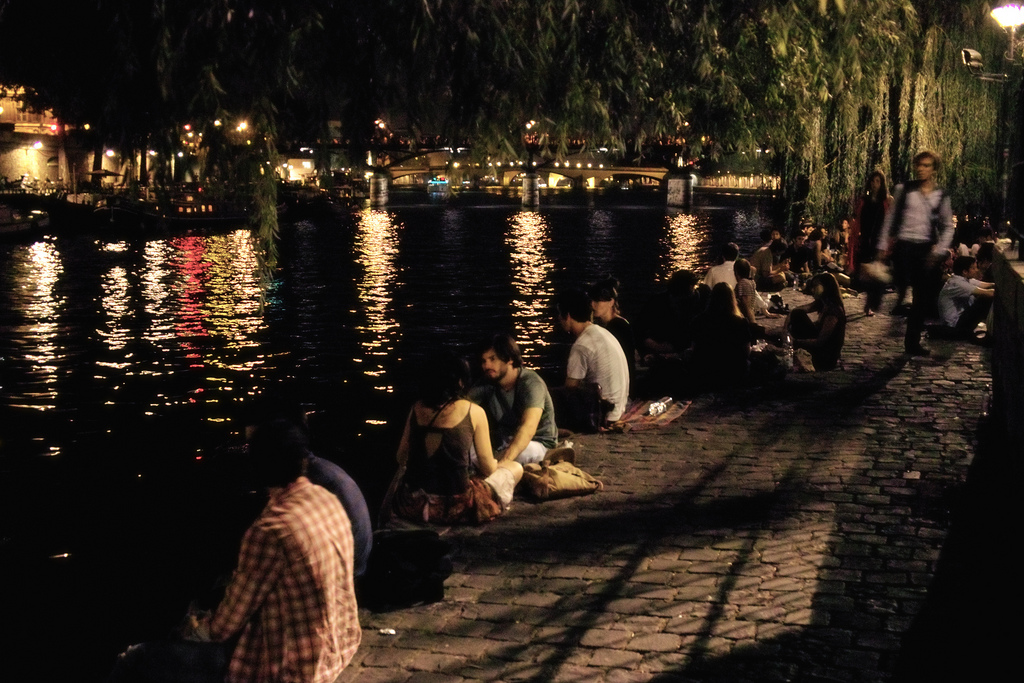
528	240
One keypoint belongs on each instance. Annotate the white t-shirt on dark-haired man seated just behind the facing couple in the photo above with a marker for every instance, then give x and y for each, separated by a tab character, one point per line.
598	357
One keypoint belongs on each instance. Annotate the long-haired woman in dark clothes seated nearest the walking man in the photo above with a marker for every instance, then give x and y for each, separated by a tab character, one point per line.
825	337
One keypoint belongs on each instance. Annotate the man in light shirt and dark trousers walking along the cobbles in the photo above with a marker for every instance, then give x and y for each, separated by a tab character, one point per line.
917	234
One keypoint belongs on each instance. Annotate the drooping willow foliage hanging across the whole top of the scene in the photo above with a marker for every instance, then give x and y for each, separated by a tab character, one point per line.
833	89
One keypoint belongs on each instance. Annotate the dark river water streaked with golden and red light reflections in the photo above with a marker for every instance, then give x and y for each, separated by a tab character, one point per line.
126	361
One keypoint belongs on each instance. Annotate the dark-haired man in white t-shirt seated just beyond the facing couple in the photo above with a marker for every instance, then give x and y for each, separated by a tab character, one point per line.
596	363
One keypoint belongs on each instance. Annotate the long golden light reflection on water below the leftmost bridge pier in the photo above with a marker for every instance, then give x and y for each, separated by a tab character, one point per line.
376	248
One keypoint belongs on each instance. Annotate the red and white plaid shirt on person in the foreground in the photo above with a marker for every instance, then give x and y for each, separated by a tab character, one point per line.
291	597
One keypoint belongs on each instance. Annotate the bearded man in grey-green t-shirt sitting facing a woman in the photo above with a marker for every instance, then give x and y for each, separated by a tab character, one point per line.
517	402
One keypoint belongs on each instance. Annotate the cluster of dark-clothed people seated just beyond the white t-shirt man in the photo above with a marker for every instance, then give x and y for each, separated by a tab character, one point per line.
716	333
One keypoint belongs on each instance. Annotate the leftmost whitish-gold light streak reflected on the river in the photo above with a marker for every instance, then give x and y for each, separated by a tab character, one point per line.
41	308
